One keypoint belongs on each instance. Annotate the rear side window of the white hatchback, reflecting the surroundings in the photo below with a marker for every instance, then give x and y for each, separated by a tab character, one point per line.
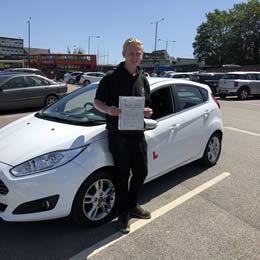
188	96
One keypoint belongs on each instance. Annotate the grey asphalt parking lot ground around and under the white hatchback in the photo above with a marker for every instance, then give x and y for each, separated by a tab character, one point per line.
197	213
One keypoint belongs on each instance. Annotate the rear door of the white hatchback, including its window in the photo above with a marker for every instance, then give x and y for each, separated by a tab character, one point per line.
192	103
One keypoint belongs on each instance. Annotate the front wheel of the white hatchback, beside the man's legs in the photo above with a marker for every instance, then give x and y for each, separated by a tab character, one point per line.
94	203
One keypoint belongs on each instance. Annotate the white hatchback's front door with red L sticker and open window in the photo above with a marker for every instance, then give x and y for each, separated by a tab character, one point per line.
165	141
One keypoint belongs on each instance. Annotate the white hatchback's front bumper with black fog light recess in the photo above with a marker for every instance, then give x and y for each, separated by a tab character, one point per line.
31	195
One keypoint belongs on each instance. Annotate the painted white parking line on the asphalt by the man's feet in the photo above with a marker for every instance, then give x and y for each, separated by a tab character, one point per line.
91	251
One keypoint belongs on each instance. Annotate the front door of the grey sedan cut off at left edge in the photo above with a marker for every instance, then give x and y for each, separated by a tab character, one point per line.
12	94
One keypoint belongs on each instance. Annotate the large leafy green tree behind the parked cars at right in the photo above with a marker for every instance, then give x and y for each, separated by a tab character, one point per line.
230	36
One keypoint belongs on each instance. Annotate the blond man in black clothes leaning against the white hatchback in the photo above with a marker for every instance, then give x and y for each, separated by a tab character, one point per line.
128	148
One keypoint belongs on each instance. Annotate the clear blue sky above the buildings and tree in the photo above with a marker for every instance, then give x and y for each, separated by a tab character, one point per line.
59	24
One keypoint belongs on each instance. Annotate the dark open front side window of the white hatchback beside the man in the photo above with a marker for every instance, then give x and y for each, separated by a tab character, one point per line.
161	104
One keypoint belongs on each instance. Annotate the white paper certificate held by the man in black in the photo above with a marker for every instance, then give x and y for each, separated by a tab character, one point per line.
132	113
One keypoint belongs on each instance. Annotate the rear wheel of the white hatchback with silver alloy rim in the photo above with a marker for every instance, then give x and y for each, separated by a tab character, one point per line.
212	150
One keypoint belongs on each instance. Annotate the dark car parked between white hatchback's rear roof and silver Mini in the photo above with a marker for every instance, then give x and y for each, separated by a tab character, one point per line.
209	78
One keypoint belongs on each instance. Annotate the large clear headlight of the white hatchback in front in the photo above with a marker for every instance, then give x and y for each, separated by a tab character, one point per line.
46	162
